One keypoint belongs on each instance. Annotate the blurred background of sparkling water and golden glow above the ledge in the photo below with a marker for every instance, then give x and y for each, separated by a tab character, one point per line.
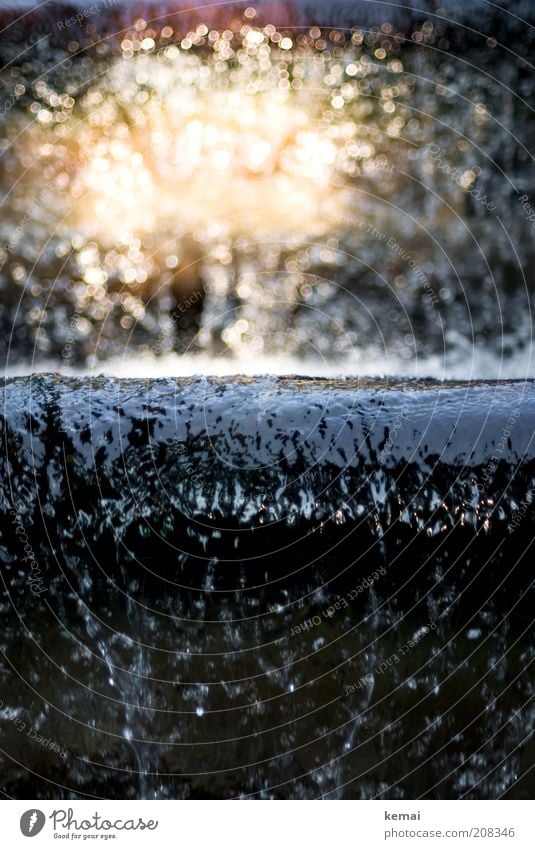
211	191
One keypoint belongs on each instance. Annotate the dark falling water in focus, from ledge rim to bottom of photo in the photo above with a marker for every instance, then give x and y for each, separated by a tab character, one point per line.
327	596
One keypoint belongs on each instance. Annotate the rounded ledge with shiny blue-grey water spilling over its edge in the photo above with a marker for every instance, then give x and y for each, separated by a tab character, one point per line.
244	468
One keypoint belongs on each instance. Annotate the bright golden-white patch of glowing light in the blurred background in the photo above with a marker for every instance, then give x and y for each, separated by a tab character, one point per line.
192	152
